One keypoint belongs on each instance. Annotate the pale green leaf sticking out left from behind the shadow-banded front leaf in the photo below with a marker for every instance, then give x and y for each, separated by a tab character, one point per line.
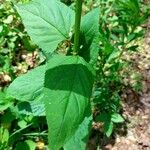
29	86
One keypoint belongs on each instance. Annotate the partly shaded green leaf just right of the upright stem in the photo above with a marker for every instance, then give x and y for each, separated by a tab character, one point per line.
90	33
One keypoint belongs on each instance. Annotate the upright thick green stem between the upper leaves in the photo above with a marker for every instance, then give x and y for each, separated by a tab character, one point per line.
77	26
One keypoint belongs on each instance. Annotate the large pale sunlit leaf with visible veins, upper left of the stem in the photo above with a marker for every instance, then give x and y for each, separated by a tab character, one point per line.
48	22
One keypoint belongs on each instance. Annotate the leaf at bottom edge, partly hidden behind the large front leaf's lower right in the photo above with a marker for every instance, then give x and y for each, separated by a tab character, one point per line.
79	140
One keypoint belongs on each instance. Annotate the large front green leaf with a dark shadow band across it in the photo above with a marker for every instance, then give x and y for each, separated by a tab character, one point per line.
68	86
